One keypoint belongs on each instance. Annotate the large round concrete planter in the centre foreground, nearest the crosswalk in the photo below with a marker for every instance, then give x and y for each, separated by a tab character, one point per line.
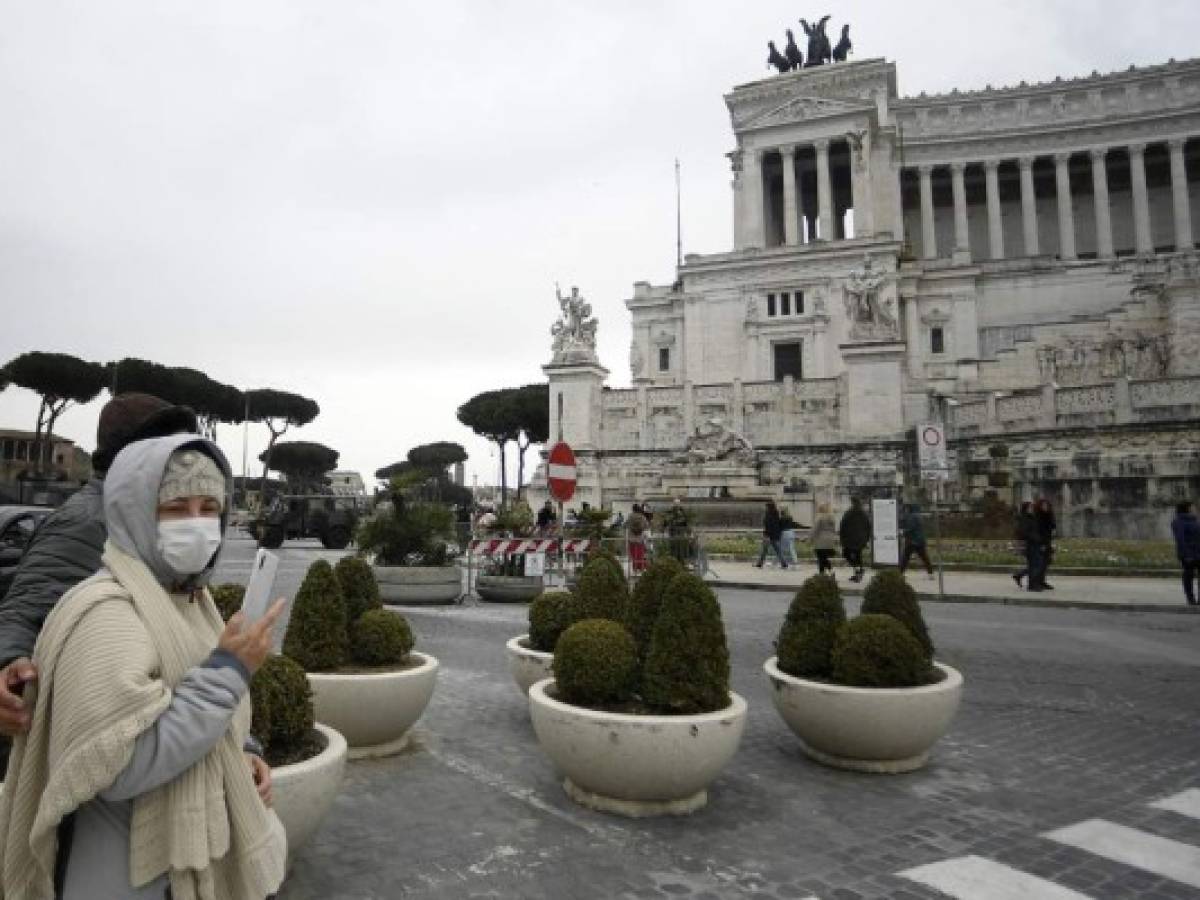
637	765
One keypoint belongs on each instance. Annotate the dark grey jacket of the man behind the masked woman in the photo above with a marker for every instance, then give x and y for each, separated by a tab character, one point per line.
65	550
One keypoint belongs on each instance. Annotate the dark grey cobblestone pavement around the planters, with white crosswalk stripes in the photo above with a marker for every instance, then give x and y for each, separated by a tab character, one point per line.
1069	717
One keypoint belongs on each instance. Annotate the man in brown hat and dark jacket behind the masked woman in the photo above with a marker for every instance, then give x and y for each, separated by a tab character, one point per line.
67	548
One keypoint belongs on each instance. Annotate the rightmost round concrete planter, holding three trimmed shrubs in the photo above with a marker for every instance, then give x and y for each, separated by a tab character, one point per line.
880	730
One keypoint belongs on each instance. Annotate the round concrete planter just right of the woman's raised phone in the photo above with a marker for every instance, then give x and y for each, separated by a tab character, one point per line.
375	711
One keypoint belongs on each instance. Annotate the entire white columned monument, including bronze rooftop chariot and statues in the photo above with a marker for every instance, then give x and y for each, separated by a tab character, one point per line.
1017	263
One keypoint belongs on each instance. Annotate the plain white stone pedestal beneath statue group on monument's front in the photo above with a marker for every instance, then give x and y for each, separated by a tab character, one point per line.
874	388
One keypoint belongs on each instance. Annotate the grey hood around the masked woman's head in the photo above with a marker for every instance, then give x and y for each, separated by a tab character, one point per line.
131	502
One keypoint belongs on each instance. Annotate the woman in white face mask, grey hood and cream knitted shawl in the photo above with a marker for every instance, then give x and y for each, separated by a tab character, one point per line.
131	782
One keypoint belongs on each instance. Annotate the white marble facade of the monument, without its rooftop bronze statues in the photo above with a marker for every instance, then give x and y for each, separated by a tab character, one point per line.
1023	242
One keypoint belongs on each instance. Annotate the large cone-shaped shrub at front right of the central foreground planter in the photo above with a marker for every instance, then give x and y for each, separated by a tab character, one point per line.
688	664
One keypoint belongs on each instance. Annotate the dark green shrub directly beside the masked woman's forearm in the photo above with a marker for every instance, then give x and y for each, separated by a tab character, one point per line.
283	710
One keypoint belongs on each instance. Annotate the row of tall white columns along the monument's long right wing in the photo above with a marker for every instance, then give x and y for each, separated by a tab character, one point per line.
1066	215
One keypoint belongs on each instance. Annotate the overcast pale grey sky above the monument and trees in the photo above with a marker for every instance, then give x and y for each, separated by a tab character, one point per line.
370	202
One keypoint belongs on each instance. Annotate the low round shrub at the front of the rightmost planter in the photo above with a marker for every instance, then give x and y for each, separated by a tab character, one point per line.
877	651
